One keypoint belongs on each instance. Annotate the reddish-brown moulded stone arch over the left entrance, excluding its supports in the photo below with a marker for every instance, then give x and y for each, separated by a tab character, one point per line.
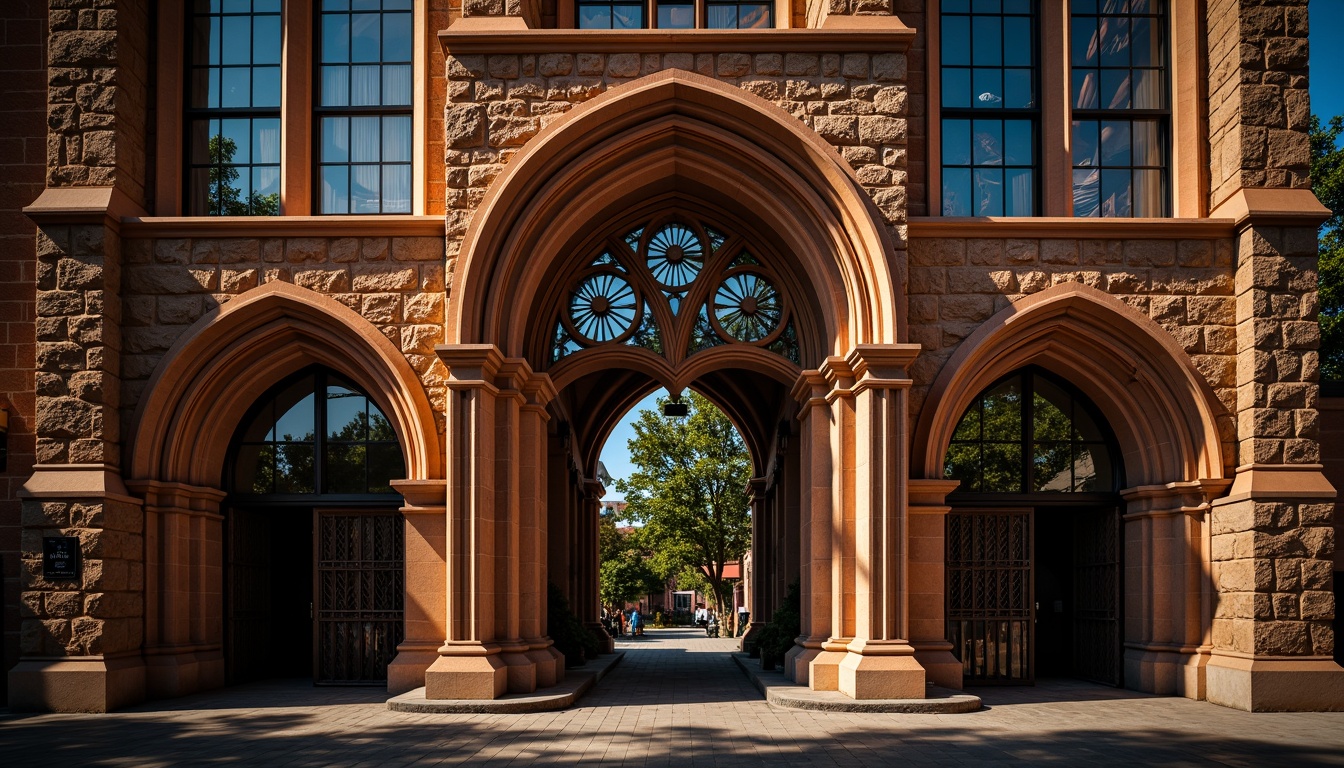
233	356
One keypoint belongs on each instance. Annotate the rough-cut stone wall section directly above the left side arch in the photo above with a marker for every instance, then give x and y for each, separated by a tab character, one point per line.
396	283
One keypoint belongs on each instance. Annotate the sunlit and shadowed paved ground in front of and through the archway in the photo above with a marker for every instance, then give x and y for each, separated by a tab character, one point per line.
677	700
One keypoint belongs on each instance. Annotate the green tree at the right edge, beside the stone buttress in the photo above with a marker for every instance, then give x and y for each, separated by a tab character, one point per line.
1329	185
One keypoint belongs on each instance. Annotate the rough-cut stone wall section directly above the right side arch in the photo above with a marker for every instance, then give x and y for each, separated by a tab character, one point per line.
1185	286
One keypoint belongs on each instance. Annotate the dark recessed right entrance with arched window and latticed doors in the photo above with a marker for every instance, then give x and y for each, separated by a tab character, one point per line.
1034	547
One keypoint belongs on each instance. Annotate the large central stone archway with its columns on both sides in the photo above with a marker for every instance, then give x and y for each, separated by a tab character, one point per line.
665	142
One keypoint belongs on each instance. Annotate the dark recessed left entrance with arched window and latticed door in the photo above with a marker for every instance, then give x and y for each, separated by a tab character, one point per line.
315	580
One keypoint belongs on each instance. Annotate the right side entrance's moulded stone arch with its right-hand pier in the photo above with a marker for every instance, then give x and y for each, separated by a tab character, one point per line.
1167	422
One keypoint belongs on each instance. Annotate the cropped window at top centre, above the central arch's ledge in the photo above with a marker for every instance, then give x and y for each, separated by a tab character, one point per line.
674	14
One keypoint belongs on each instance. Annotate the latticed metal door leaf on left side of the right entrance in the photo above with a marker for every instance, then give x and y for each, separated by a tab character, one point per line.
990	588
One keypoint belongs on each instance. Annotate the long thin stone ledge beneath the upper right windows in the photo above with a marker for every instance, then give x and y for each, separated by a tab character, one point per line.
1046	228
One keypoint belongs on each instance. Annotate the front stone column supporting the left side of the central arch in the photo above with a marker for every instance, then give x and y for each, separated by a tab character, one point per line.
470	664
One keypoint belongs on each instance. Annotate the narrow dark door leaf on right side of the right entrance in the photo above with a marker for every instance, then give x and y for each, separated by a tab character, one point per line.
1097	597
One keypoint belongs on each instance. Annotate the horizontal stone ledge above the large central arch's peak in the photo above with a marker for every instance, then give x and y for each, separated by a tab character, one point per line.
498	36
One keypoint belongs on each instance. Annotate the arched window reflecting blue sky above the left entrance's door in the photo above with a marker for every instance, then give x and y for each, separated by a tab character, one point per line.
317	434
